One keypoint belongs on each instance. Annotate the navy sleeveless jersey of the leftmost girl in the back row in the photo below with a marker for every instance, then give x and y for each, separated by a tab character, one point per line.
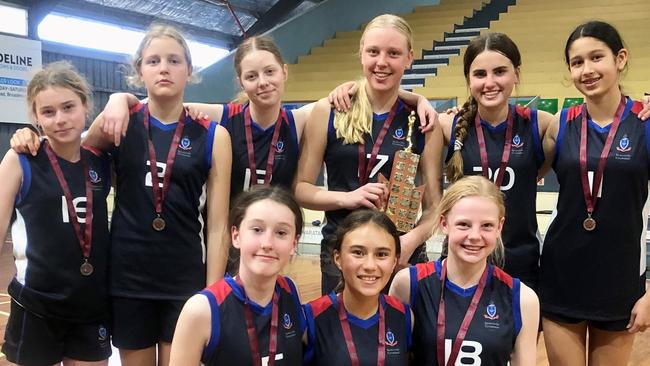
48	256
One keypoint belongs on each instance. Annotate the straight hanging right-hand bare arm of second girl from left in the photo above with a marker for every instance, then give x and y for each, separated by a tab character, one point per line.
218	239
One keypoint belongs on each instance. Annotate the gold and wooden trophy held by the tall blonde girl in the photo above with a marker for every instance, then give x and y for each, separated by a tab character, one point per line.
404	197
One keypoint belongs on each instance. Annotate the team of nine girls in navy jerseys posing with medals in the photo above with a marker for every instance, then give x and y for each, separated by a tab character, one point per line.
207	214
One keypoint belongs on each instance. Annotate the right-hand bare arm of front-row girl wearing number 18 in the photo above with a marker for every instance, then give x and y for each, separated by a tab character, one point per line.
525	352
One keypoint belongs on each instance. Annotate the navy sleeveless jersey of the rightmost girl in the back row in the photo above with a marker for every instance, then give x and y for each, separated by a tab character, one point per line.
598	275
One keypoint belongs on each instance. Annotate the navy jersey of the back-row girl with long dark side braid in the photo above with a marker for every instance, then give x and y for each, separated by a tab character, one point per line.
519	184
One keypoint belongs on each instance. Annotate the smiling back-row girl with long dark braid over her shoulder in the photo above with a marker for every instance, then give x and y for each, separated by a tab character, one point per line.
500	141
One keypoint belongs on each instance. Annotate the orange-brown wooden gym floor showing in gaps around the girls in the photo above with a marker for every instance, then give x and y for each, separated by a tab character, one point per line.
305	272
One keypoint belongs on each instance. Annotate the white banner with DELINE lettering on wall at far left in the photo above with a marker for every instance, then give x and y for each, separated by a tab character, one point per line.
20	59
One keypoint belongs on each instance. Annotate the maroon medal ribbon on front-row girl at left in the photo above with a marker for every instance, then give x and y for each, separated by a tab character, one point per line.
252	333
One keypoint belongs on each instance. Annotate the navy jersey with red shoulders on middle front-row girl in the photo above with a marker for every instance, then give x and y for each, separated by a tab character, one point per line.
326	342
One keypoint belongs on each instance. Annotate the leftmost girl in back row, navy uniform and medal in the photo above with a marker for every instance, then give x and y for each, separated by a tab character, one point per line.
55	202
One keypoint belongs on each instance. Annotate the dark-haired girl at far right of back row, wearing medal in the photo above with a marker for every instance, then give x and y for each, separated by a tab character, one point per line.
593	260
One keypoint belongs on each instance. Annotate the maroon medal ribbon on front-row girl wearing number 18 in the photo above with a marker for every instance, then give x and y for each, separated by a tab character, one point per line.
467	319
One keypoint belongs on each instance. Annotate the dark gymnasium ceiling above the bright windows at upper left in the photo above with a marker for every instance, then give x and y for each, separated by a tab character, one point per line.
218	22
